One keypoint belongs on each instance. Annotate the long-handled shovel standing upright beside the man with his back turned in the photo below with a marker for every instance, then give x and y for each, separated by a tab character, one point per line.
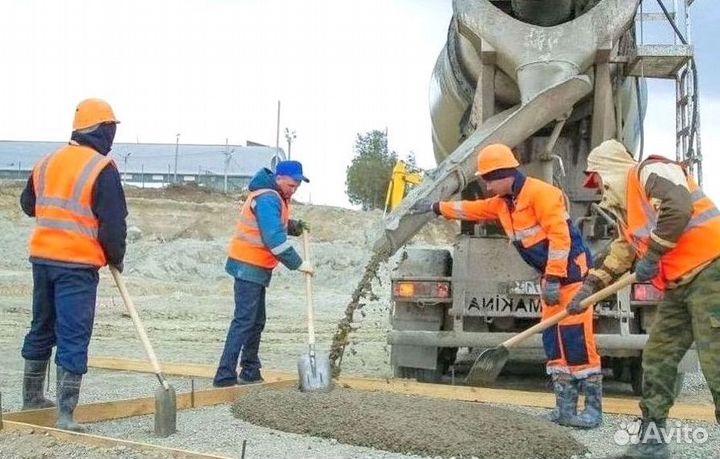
165	403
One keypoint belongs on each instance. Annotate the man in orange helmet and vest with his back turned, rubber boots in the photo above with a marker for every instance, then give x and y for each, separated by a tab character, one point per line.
76	197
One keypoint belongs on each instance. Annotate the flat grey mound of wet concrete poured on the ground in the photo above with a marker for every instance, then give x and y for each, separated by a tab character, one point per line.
408	424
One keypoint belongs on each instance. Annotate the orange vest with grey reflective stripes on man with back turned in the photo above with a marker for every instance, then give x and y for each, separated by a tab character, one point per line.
66	228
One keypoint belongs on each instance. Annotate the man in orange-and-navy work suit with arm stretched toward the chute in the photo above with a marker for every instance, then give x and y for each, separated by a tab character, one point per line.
535	218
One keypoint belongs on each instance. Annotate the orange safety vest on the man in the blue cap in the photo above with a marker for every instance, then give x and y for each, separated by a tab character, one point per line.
247	245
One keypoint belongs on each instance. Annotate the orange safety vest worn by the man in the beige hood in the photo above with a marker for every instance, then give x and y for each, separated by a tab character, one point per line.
699	243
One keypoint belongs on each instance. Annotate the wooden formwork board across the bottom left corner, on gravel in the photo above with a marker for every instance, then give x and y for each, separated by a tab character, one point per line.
103	442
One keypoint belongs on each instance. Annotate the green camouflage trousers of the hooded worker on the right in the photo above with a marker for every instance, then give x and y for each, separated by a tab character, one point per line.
688	313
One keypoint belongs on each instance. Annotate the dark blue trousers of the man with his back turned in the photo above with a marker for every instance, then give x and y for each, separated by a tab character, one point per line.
63	315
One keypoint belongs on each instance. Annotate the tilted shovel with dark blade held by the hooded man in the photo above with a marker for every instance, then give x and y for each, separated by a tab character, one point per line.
490	362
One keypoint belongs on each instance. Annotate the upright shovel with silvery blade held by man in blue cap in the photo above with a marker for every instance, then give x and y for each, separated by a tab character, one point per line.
313	370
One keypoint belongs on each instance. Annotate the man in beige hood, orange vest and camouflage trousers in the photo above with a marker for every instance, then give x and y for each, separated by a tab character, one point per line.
670	230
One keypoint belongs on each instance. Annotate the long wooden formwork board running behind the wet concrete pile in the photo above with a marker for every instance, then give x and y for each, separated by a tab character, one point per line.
613	405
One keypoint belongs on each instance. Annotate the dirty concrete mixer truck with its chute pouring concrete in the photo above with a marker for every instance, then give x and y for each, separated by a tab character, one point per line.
551	79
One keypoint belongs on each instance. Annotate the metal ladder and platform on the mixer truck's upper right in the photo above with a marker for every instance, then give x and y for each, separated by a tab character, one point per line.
664	50
